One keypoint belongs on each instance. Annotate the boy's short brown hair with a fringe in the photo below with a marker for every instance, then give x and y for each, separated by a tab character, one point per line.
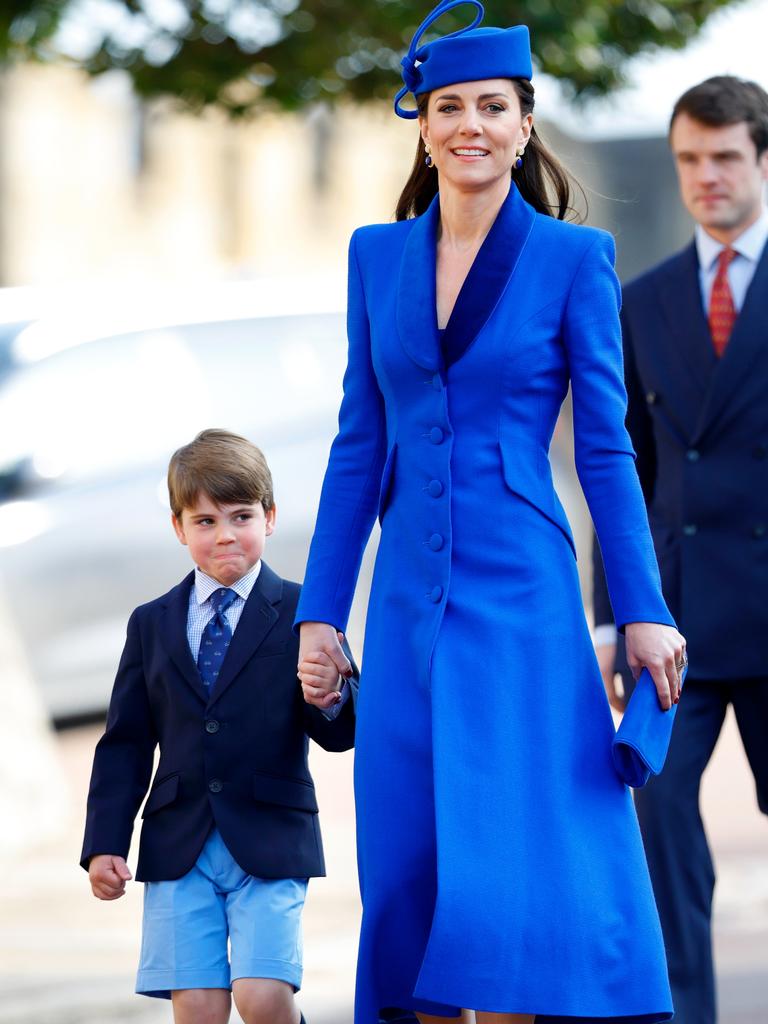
227	467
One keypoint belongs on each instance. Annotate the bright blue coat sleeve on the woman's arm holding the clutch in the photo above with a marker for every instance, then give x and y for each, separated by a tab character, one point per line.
605	456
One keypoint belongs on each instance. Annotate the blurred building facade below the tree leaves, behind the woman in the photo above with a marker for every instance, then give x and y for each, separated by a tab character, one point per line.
97	186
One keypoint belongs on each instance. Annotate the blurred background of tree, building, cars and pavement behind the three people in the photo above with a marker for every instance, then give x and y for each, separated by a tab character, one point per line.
179	182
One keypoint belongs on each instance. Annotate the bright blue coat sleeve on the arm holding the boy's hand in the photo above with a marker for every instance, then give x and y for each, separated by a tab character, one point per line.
351	489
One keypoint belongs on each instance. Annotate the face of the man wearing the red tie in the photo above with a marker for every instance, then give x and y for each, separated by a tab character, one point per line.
721	177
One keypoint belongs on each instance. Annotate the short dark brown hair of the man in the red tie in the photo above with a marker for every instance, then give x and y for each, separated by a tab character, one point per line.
727	100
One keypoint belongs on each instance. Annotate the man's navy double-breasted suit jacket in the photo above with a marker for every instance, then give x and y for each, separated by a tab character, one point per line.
700	426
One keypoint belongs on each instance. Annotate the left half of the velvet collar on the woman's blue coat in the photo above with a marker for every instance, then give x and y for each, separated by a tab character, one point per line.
417	317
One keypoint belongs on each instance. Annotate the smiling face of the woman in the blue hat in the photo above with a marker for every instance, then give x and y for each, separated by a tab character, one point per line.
475	131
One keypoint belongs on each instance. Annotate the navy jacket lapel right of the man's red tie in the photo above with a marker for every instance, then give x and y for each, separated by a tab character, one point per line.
749	339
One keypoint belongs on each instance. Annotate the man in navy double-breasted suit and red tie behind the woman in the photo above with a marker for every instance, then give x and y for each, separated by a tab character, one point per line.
696	331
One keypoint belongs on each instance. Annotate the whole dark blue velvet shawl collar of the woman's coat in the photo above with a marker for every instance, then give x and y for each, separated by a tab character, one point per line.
483	288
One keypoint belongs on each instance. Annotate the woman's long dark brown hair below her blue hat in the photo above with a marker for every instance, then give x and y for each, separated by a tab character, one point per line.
543	182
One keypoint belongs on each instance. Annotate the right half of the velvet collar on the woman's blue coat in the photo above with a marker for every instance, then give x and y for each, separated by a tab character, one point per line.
490	275
